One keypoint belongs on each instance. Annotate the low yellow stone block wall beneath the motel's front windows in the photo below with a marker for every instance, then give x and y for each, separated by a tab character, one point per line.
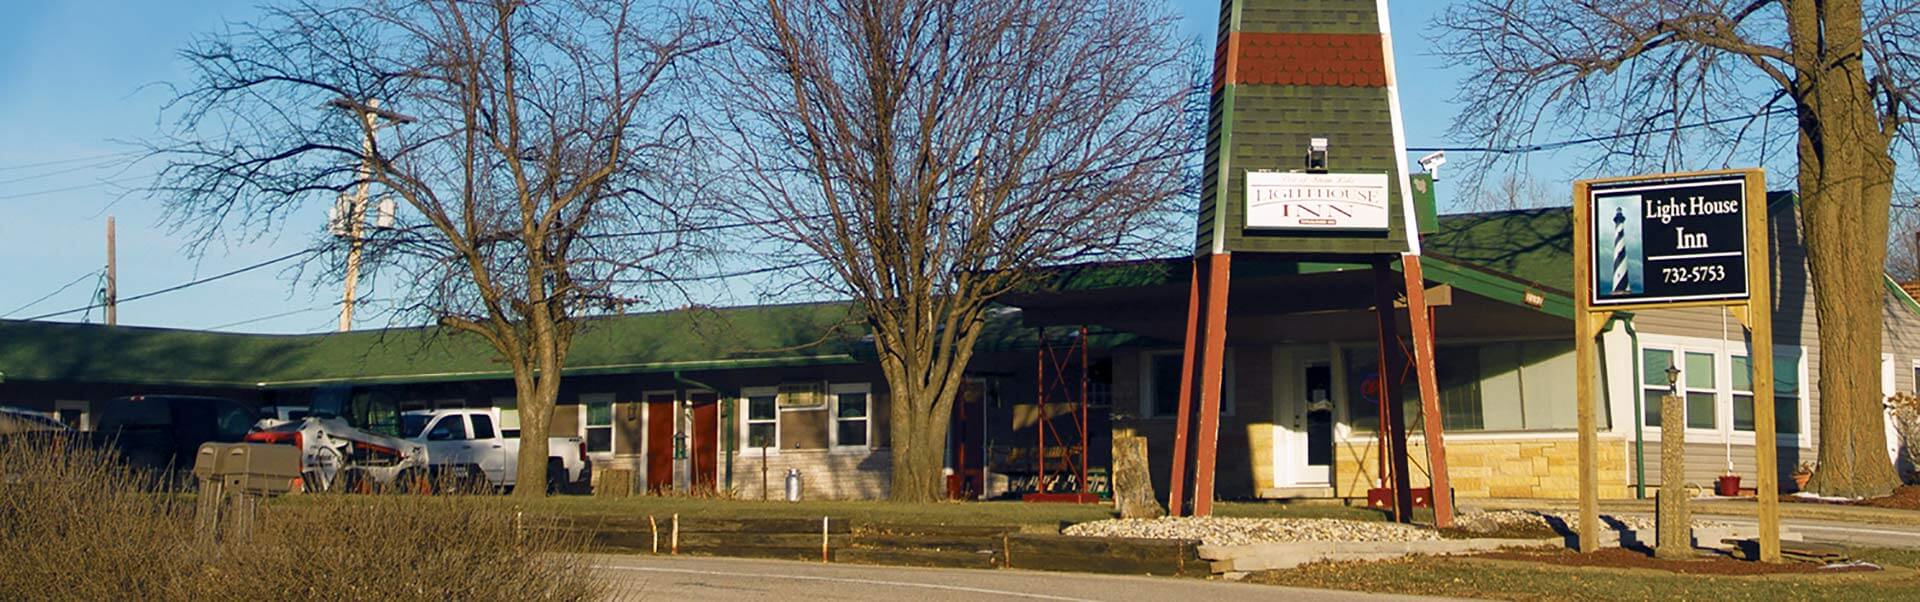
1500	469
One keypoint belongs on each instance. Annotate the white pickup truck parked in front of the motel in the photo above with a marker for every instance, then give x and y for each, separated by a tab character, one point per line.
468	444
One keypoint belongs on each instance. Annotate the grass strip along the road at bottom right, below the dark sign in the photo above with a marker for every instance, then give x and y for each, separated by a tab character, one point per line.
1508	580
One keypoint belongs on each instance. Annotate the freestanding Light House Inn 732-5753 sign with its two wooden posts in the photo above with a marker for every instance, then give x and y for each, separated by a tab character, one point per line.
1668	243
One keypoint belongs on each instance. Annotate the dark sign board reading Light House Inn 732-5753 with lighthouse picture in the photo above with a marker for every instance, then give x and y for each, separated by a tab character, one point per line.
1668	241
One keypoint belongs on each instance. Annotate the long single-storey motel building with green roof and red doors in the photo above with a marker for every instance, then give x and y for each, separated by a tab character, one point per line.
729	400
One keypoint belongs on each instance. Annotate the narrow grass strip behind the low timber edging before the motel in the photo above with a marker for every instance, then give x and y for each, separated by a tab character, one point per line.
882	513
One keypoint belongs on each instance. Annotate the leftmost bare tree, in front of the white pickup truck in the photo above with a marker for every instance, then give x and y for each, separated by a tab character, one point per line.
533	147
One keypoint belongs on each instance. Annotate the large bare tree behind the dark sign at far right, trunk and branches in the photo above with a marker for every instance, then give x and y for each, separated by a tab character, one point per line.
1836	76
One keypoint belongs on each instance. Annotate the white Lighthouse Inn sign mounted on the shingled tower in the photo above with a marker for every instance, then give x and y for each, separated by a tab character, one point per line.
1316	200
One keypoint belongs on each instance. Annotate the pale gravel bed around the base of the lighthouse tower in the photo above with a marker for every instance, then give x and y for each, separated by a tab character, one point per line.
1237	532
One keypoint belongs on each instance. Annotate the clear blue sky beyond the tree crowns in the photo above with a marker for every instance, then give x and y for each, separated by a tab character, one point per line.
80	80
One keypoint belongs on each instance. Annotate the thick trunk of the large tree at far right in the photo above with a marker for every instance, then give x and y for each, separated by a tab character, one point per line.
1846	181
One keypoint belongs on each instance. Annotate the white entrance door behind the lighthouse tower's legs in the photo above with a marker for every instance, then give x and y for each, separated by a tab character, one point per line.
1305	419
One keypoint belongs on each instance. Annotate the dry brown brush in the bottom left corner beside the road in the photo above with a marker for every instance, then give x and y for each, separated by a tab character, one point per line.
80	526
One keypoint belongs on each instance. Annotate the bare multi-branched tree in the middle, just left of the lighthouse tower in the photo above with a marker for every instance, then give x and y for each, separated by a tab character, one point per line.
934	154
